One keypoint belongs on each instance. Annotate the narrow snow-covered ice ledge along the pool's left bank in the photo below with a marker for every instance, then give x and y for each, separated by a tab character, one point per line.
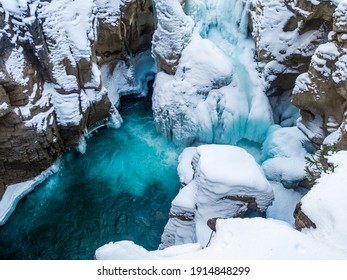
16	192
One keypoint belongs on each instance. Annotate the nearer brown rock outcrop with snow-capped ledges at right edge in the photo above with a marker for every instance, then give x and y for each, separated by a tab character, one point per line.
320	93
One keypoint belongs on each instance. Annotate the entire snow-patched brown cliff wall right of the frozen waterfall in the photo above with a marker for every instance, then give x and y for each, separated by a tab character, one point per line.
311	43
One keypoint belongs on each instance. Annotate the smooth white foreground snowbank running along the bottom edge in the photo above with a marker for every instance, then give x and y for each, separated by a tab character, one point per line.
242	239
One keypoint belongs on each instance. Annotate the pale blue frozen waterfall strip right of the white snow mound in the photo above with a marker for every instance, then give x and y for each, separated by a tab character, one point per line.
225	23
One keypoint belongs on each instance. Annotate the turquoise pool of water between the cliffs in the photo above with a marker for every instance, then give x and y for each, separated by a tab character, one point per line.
121	188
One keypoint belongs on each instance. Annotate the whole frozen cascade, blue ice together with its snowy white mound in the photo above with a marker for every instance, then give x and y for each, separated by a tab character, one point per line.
215	94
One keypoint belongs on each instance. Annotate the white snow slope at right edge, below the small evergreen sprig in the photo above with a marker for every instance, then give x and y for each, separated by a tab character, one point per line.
326	205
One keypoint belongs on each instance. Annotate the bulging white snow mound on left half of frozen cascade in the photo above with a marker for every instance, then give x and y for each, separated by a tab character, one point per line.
179	95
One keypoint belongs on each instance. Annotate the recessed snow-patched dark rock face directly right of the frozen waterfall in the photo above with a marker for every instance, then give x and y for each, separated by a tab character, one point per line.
300	27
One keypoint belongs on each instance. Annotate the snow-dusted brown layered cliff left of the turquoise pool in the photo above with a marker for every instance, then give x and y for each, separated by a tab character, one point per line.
50	83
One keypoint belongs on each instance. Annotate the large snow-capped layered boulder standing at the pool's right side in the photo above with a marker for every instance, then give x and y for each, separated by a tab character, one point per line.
225	182
